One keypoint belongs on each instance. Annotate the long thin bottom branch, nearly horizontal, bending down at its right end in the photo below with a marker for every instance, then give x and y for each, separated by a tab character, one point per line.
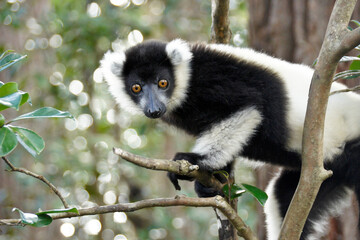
215	202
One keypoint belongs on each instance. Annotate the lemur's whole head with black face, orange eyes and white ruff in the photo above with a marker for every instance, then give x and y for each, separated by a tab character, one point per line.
151	77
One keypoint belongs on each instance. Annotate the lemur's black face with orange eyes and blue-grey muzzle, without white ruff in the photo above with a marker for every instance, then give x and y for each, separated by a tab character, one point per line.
148	77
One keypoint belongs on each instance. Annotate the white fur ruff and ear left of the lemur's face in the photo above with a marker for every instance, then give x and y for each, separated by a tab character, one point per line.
111	67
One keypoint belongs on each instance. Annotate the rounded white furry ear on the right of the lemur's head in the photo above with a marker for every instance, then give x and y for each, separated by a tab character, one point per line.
178	51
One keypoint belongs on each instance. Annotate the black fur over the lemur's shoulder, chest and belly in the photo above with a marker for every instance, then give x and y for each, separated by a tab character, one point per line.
221	85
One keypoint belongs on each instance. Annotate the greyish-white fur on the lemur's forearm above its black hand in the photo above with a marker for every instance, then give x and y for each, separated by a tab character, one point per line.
223	141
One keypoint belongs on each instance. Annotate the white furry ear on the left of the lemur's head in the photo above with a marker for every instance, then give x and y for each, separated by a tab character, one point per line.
113	62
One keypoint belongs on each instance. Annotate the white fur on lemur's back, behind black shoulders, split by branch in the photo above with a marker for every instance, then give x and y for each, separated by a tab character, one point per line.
342	122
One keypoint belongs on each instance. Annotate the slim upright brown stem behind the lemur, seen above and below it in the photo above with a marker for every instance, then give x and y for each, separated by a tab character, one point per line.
220	33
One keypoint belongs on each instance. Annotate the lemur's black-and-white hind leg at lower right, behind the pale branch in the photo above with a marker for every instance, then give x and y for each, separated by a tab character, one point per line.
332	197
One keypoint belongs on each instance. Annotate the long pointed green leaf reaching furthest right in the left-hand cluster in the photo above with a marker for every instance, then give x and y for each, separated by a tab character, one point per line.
45	112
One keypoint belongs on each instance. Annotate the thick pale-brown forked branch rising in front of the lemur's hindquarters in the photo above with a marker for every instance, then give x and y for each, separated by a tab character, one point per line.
338	41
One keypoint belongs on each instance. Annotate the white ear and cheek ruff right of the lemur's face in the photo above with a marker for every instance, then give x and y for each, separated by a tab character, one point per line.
180	56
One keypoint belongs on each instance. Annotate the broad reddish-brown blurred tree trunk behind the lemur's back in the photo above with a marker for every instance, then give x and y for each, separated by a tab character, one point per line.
294	31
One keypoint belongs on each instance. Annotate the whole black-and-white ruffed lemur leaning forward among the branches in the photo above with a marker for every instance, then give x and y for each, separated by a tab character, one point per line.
238	102
